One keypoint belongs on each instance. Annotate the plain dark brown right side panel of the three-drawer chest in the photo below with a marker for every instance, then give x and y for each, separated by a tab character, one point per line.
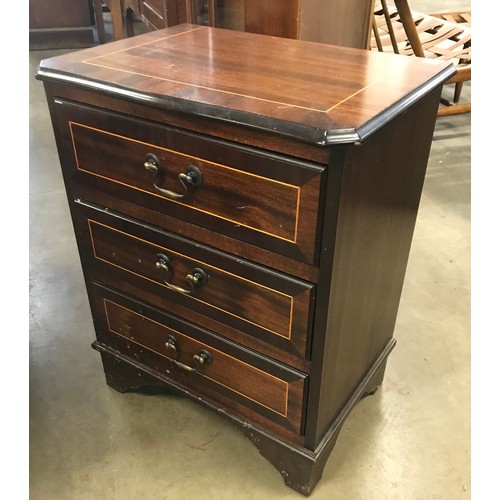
370	239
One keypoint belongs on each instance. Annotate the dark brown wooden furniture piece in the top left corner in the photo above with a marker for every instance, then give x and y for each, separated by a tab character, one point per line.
58	24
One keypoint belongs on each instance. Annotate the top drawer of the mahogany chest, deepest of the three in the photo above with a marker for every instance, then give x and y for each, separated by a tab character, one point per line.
263	199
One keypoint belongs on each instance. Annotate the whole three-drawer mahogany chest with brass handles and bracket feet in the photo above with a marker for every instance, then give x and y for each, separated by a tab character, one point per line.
244	208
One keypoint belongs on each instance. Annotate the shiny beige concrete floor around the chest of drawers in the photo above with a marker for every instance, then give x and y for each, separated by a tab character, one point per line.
411	440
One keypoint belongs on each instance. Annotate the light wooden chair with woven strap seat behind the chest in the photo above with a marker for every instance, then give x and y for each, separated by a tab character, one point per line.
443	36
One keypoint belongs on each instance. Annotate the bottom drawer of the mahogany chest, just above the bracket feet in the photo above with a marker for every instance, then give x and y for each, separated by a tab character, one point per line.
232	376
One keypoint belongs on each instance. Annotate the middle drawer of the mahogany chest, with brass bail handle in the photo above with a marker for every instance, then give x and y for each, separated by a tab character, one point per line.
238	299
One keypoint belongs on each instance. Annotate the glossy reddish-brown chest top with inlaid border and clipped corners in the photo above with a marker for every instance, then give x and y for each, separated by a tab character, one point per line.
316	93
